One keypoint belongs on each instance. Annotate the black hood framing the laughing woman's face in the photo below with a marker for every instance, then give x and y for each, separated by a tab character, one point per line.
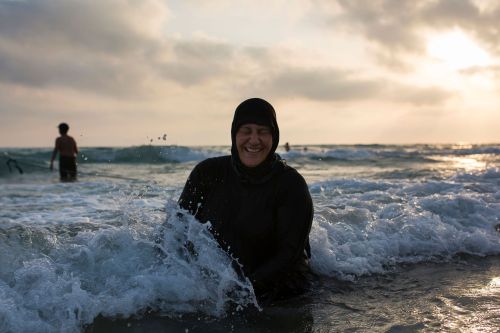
260	112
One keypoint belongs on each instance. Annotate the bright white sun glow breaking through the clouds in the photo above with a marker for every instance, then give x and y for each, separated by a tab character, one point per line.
457	51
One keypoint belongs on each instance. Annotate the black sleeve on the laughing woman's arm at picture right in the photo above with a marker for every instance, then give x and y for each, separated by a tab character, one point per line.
294	219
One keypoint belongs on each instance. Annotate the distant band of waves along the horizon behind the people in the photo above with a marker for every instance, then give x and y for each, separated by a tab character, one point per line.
179	154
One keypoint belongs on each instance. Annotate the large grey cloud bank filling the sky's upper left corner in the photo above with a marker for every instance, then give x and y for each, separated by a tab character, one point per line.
99	47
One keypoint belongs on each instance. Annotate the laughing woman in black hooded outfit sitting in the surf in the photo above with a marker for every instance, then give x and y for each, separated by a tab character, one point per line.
260	209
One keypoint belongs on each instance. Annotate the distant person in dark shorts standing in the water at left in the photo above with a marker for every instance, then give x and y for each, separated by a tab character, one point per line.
66	147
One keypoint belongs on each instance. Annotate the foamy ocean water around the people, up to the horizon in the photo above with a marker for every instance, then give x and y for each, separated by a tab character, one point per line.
405	238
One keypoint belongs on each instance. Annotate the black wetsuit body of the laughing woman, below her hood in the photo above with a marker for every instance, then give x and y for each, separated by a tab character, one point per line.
264	224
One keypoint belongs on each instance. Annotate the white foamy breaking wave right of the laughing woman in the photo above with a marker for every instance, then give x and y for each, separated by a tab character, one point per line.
369	231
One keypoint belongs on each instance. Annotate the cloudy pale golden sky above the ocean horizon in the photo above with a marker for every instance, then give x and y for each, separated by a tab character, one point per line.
124	72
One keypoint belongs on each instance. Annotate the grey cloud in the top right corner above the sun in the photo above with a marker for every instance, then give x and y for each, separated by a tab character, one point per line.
395	26
